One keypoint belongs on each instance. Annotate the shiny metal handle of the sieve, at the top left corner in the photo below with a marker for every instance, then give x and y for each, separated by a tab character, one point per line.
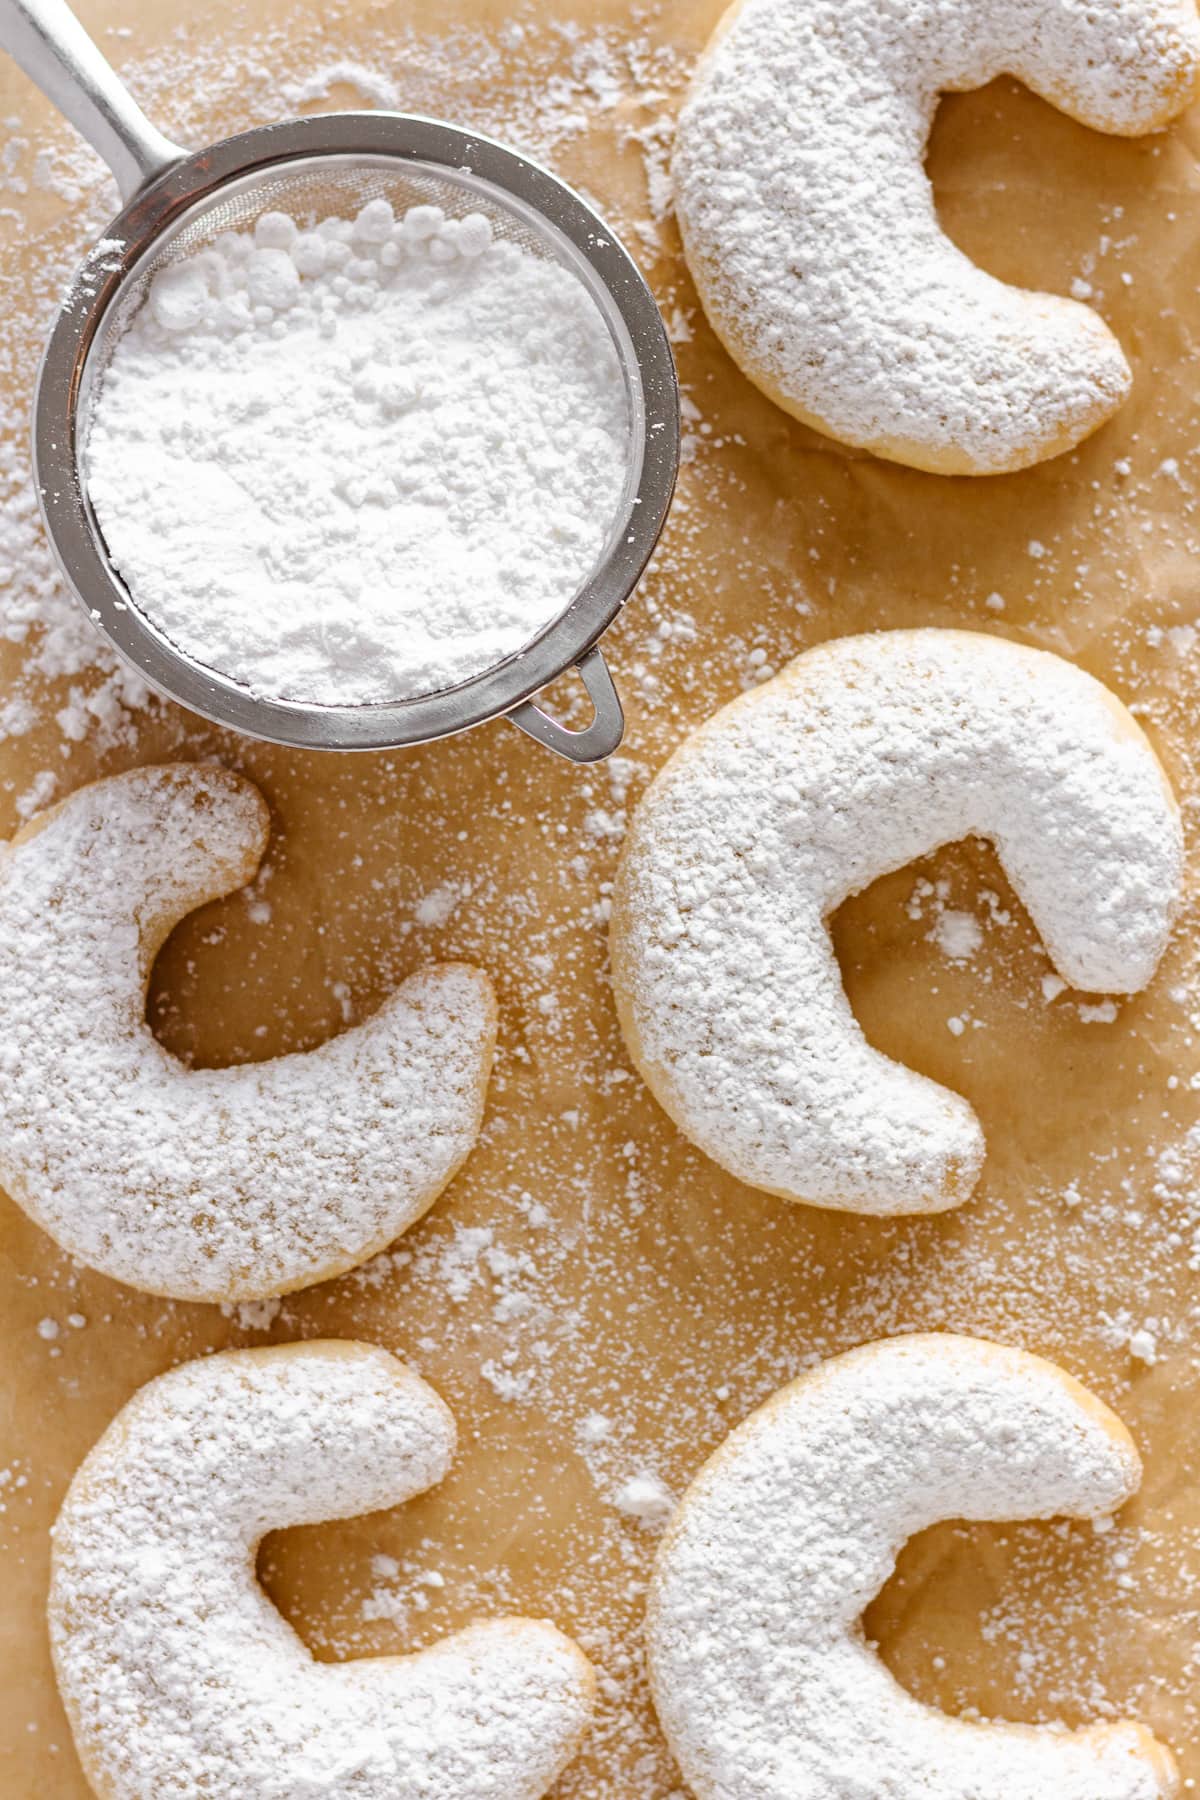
51	46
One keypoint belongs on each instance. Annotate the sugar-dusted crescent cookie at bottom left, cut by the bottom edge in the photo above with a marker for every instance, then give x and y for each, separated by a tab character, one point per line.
183	1680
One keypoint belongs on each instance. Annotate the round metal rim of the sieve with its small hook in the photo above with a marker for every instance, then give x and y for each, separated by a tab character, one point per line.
505	690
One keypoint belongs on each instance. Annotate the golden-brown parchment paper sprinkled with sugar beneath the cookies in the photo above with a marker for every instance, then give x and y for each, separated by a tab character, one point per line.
587	1261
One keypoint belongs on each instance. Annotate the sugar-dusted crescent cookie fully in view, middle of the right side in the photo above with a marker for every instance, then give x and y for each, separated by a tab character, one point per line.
857	759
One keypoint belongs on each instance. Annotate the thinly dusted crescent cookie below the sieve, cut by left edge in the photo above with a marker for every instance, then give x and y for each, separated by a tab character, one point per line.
206	1183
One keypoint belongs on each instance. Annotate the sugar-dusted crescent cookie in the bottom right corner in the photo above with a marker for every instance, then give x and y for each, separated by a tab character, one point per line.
762	1675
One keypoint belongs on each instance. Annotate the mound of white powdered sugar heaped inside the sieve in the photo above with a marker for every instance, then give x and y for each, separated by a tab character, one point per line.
363	462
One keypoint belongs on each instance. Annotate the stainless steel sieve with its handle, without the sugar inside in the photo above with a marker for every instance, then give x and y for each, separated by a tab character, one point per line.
175	202
